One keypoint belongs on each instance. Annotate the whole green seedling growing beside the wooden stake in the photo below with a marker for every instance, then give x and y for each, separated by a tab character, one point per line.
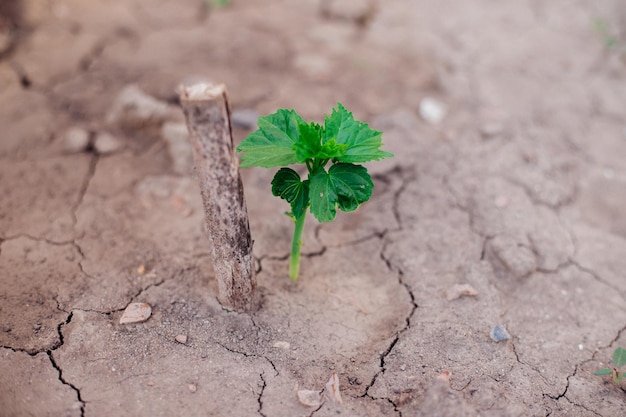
285	138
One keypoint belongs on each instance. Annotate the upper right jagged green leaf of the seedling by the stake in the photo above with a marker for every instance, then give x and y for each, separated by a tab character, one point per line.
362	142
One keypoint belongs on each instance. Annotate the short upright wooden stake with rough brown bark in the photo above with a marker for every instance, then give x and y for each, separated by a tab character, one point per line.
226	217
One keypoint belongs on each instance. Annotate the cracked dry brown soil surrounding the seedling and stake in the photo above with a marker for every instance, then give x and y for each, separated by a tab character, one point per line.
519	193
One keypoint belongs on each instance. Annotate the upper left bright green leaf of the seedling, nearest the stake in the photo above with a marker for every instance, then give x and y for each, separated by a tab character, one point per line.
272	144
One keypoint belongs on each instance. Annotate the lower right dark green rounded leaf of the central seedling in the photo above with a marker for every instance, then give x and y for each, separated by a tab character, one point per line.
352	184
